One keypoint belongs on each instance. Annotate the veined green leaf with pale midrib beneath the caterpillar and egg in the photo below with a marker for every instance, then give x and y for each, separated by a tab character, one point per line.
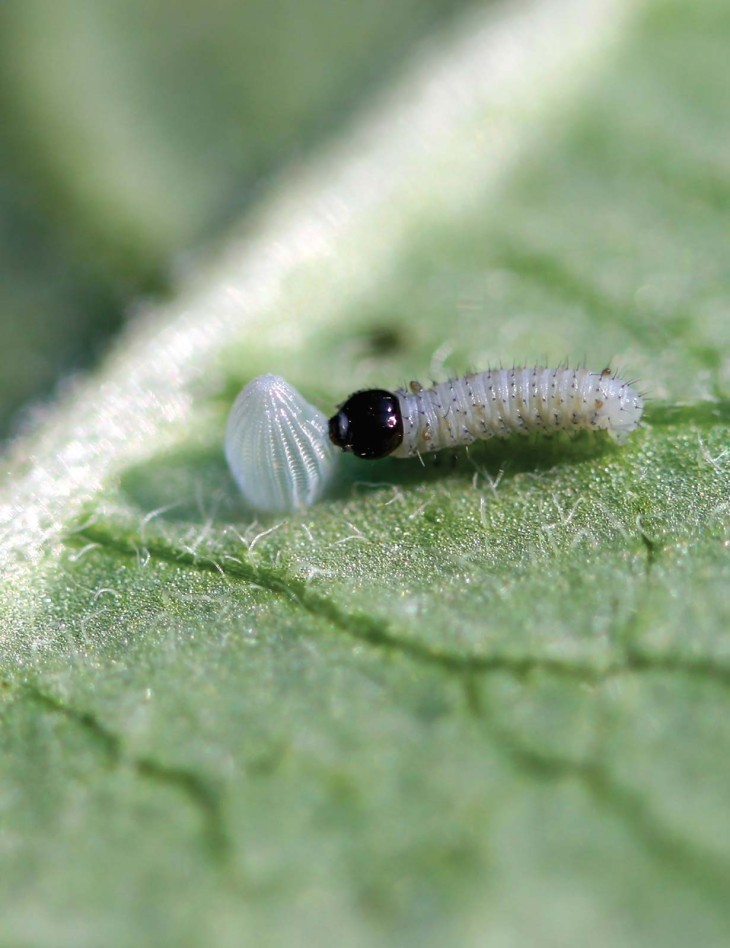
484	702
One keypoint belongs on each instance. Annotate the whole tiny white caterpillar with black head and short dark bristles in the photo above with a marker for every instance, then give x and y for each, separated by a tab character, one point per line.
493	404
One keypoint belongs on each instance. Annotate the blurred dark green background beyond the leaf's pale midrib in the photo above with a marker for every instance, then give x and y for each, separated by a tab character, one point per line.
132	132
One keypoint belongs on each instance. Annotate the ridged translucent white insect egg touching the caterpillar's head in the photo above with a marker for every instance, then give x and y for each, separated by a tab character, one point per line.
277	447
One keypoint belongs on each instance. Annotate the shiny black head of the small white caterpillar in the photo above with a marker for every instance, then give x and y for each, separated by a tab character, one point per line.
369	424
